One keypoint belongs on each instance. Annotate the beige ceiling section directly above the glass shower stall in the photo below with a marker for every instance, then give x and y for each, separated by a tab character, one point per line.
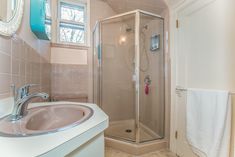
154	6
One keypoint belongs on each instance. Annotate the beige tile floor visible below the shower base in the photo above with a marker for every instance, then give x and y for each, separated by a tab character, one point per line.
110	152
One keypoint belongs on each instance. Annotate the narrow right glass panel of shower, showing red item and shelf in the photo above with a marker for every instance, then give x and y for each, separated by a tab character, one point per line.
152	73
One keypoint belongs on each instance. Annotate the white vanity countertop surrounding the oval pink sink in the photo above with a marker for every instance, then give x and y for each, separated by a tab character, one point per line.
55	144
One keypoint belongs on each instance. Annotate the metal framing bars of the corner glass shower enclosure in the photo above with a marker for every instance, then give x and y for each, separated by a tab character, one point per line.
137	14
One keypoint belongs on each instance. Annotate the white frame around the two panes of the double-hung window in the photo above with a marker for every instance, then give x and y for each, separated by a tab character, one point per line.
59	20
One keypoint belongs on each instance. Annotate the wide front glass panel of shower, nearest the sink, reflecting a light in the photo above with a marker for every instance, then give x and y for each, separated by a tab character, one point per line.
117	68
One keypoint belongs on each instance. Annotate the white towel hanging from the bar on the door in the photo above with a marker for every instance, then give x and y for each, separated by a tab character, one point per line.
208	122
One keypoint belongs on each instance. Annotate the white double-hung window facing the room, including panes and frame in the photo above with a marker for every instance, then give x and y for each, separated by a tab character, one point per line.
72	23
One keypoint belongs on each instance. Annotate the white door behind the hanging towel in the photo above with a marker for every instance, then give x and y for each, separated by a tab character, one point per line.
199	58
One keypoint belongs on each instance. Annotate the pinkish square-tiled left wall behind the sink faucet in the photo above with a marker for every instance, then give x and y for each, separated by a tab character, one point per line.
20	64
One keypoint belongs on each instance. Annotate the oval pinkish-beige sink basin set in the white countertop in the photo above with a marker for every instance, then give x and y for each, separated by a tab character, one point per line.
46	119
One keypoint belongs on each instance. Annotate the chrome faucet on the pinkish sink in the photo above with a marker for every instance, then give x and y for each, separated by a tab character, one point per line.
21	100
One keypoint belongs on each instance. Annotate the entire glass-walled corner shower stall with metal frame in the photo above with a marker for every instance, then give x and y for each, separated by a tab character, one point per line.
129	75
